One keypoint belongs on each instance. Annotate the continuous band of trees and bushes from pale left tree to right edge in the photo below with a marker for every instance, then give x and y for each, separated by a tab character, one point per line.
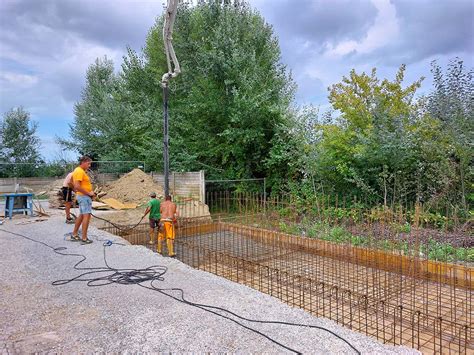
231	113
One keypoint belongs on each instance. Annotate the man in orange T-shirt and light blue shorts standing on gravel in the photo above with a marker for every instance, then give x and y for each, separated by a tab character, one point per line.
84	192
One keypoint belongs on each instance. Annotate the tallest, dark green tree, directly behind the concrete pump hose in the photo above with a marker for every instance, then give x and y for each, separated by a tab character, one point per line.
233	94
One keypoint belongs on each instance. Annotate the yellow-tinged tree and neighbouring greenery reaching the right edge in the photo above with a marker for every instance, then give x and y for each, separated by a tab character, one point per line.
388	148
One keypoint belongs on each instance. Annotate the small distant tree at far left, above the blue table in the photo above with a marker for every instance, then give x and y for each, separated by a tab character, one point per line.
18	140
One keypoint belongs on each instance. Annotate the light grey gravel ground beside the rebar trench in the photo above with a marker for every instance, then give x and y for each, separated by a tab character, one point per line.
36	316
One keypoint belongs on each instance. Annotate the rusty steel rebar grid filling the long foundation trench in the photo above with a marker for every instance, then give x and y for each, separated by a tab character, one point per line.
398	299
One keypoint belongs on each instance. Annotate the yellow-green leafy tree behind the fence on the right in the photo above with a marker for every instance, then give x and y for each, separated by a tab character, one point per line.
369	144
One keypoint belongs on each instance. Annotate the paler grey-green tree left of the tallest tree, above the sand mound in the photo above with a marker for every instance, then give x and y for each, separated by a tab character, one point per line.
104	125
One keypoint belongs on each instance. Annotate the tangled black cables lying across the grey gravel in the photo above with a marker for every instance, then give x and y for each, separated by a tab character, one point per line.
126	276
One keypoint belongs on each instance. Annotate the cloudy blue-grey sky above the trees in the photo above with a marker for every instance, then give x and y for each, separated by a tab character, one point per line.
47	45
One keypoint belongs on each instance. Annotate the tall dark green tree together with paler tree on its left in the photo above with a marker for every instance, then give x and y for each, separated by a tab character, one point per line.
225	108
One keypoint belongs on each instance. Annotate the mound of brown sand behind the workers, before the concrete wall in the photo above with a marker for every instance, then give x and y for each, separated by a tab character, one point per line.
134	187
